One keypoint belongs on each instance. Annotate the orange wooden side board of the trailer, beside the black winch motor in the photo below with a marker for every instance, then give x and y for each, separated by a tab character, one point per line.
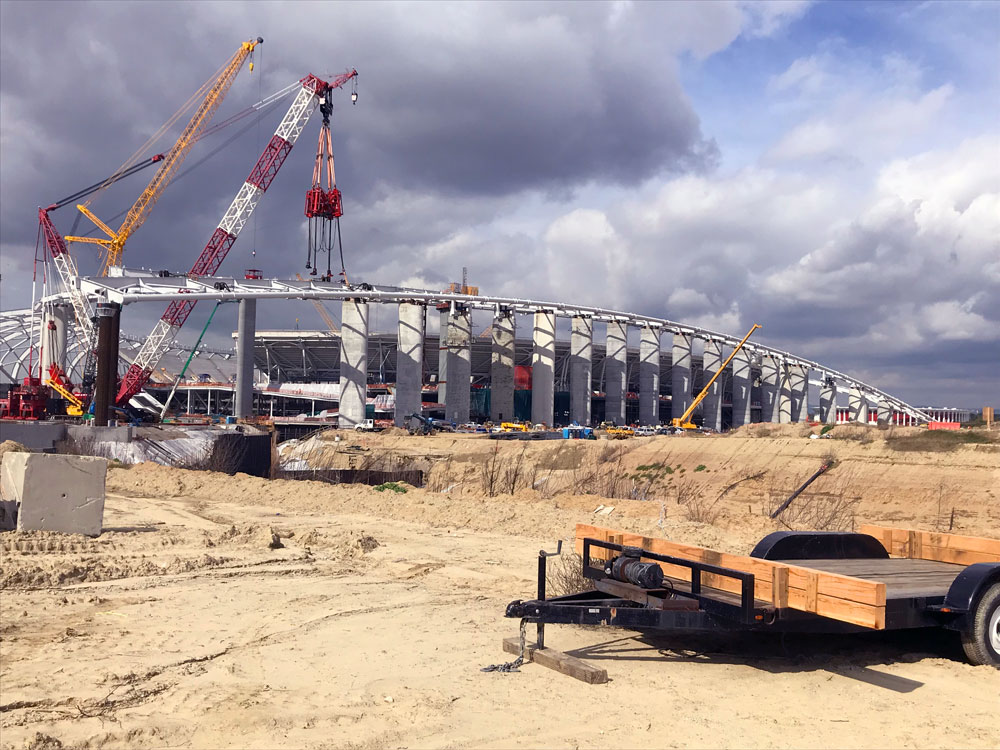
838	596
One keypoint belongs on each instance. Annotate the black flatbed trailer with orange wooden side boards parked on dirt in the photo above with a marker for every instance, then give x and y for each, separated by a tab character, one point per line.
820	582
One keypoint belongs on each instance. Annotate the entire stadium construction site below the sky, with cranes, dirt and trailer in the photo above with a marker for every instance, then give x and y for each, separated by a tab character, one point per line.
435	517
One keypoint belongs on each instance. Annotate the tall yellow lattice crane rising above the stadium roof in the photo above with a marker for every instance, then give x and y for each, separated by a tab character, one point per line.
212	93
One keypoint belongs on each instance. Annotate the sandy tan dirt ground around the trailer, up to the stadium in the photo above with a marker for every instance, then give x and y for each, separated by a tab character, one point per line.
222	611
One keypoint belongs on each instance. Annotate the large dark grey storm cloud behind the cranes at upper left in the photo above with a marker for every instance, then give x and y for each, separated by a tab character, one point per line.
470	103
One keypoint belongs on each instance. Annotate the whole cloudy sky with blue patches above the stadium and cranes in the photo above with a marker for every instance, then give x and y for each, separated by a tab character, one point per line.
829	170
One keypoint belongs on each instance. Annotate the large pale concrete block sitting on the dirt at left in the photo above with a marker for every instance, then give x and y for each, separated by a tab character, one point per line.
55	492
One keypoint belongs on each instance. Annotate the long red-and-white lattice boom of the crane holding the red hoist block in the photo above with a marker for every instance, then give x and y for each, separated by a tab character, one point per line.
311	92
